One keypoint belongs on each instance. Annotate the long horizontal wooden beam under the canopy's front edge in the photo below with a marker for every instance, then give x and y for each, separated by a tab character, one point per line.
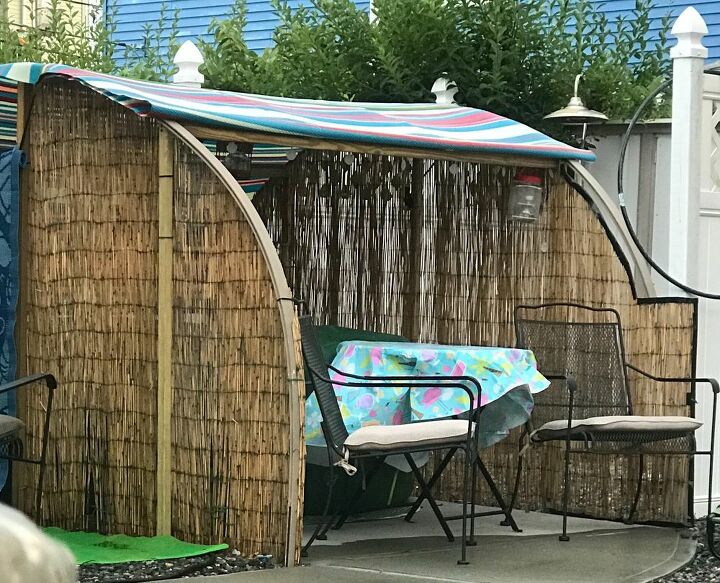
225	135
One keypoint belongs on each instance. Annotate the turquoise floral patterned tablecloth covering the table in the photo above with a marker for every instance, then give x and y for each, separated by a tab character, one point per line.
508	378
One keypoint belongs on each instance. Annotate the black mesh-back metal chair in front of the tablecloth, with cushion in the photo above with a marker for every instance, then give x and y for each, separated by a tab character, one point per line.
378	442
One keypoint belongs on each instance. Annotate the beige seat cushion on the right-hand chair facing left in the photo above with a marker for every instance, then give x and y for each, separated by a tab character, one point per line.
617	423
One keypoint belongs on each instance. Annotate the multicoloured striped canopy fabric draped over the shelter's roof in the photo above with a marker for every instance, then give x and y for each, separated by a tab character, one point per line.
432	127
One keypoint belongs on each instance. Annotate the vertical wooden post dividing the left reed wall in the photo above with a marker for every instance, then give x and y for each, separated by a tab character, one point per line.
166	164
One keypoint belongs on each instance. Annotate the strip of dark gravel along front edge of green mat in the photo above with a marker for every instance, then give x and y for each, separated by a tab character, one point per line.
220	563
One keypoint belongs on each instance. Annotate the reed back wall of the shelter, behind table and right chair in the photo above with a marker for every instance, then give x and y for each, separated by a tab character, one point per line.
423	248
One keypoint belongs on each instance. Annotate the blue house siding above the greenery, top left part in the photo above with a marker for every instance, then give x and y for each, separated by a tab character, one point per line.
195	17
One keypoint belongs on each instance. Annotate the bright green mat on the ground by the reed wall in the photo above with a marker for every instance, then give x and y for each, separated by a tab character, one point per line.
91	547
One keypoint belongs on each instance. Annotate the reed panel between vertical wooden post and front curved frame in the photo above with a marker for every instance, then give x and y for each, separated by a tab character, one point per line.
230	426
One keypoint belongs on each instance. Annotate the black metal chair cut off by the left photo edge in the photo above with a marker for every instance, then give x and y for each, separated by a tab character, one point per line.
11	445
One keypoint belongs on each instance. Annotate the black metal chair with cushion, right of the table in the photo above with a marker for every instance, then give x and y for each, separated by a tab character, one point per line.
593	411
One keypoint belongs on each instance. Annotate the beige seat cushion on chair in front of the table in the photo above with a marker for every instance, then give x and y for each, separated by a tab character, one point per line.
389	437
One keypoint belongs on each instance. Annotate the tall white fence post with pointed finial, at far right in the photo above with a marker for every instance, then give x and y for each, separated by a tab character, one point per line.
678	214
